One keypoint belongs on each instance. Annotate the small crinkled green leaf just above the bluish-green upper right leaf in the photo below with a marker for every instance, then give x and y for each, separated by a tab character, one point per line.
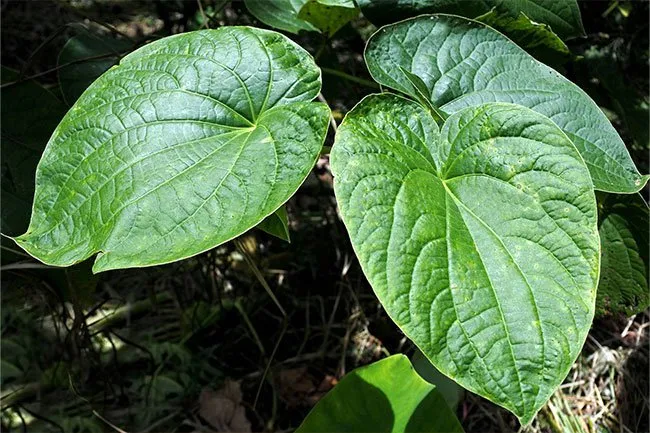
536	38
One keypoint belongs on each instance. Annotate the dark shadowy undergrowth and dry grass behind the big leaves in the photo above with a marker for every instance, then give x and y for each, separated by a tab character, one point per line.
199	345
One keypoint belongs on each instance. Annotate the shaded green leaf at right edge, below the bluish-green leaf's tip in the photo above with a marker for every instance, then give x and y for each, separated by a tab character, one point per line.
623	226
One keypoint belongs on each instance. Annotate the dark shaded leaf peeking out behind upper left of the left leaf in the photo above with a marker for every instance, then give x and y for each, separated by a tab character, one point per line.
75	78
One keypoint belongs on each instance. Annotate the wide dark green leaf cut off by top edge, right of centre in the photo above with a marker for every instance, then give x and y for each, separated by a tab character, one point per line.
562	15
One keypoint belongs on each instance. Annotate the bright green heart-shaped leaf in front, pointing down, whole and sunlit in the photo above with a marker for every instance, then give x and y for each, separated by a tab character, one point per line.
480	240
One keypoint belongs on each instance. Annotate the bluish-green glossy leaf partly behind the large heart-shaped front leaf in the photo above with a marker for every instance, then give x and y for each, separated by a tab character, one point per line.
462	63
